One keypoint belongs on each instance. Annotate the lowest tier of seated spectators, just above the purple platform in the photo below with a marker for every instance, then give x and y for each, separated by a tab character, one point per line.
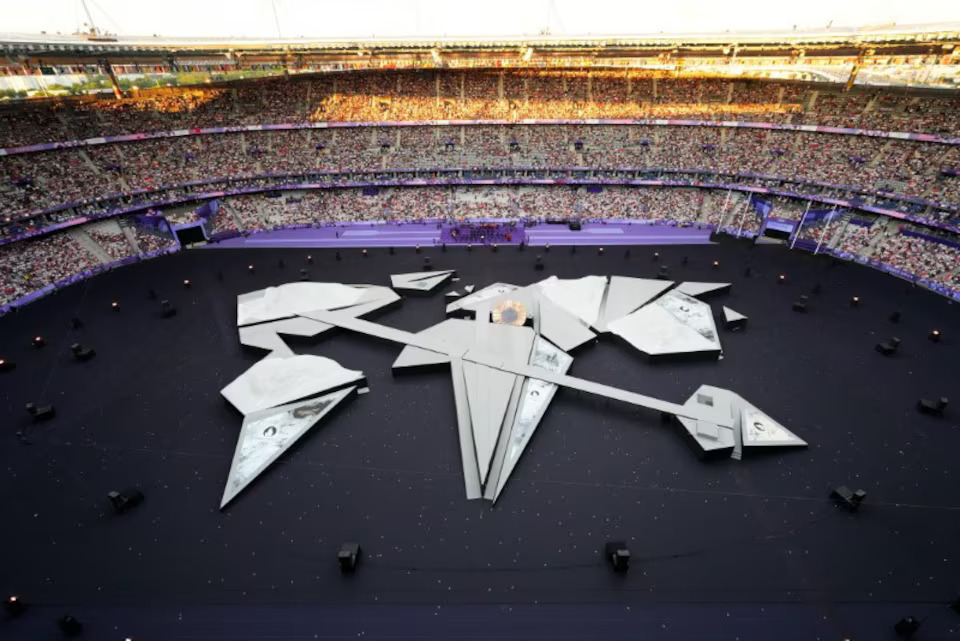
30	265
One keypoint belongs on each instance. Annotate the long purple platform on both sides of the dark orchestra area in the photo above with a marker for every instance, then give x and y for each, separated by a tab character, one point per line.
427	234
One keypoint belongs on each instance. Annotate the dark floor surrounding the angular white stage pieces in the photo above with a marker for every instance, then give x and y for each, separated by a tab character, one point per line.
722	549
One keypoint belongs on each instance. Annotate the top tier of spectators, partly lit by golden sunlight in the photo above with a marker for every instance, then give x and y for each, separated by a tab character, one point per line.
450	94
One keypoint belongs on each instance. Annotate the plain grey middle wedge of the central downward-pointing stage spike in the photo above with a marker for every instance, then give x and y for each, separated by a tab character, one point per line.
488	392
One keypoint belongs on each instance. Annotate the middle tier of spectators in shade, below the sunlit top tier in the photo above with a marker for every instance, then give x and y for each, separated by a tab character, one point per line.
34	182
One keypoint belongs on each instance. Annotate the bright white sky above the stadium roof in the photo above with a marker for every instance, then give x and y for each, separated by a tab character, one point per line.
392	18
